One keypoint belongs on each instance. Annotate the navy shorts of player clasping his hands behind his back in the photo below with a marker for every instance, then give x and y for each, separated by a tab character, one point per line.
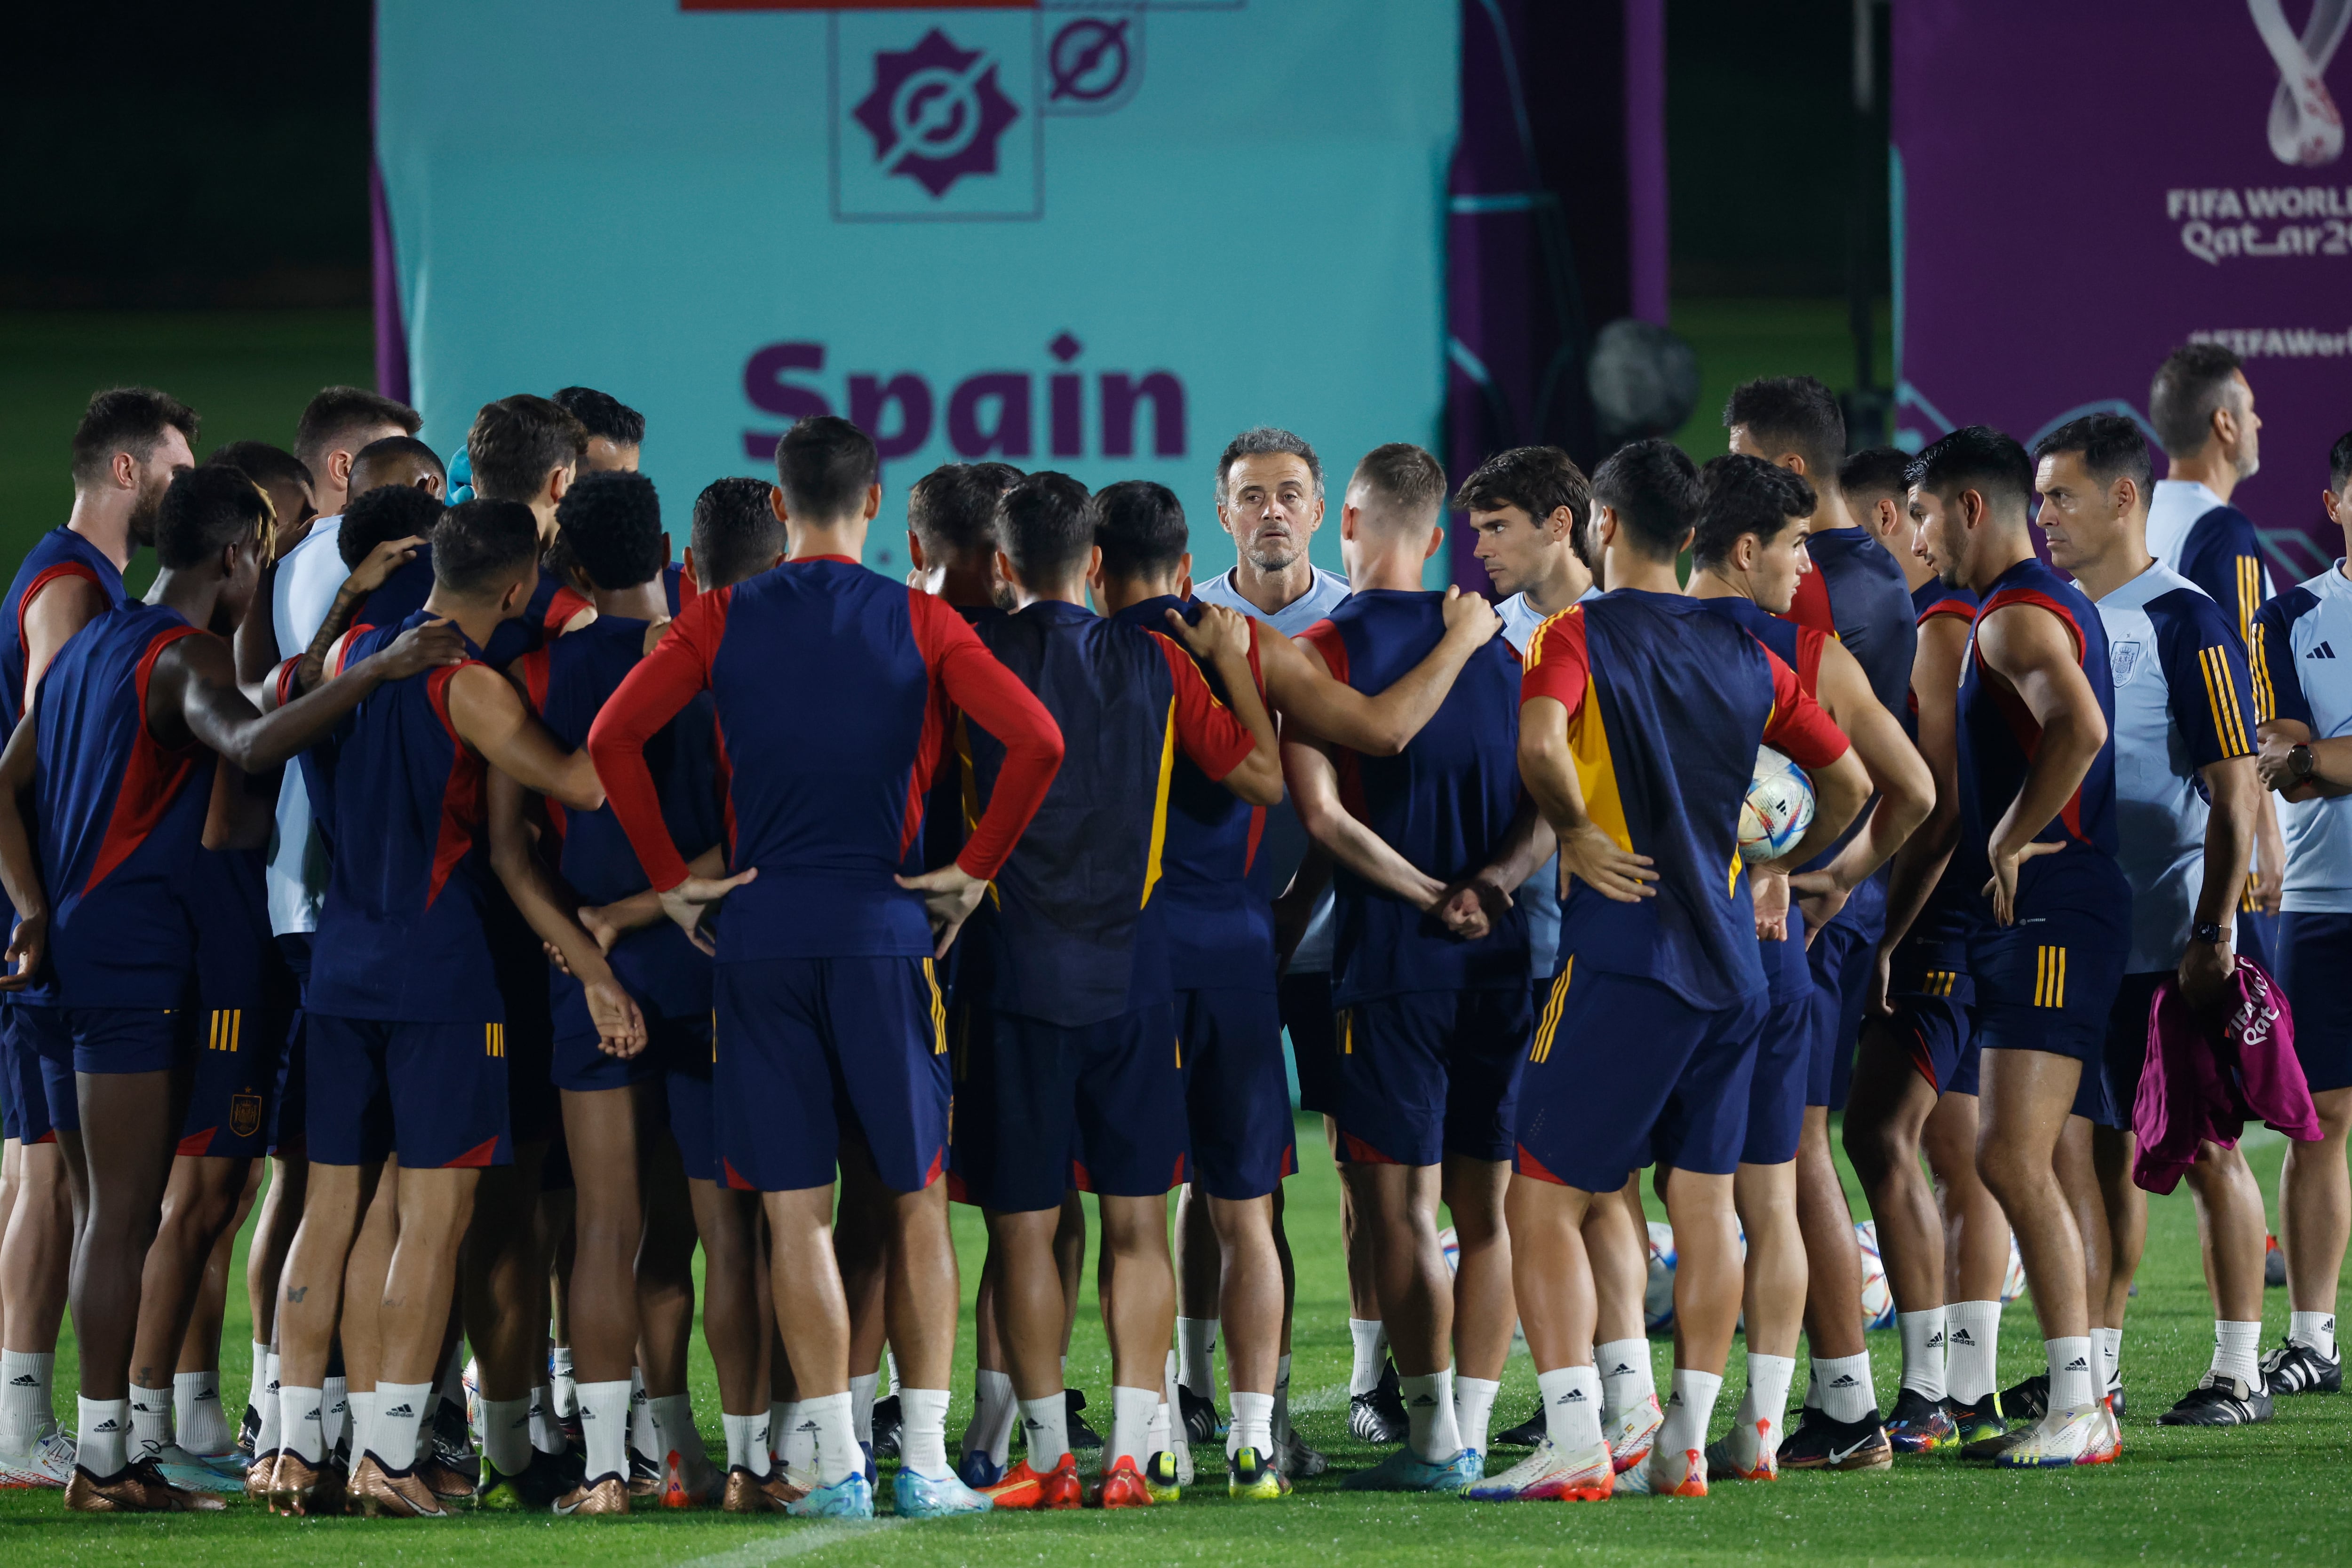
1424	1076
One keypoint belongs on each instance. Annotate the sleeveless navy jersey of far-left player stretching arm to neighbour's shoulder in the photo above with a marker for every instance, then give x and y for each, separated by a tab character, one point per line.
119	819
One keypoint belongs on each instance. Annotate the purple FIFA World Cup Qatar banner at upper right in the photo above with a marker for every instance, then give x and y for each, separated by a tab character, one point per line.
2184	177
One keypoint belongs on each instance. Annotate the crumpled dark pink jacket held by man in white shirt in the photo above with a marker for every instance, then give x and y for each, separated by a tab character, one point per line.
2203	1090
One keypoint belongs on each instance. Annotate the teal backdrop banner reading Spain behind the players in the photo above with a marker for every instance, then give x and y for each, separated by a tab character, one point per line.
1067	236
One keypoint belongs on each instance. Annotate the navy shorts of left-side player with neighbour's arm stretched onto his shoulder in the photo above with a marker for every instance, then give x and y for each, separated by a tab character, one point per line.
434	1092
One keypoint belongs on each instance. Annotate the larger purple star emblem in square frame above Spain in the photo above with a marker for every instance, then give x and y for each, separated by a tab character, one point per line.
935	121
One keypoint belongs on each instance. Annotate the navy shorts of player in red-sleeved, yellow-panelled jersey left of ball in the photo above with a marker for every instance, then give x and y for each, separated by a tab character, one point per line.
1624	1073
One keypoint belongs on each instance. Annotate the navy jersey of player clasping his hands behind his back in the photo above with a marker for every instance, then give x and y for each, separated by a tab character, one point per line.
1445	803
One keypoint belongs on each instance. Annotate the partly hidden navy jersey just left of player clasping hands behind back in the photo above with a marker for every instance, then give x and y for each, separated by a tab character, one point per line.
1217	883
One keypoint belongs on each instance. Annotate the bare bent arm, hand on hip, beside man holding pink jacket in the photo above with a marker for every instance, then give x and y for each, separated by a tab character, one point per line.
2029	650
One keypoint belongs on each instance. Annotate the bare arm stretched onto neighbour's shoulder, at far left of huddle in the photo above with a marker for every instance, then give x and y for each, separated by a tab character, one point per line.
194	697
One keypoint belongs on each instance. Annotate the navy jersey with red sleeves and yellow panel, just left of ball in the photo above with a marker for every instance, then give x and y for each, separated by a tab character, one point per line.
1669	704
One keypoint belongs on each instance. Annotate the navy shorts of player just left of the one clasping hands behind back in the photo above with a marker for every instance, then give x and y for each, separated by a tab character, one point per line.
1236	1097
